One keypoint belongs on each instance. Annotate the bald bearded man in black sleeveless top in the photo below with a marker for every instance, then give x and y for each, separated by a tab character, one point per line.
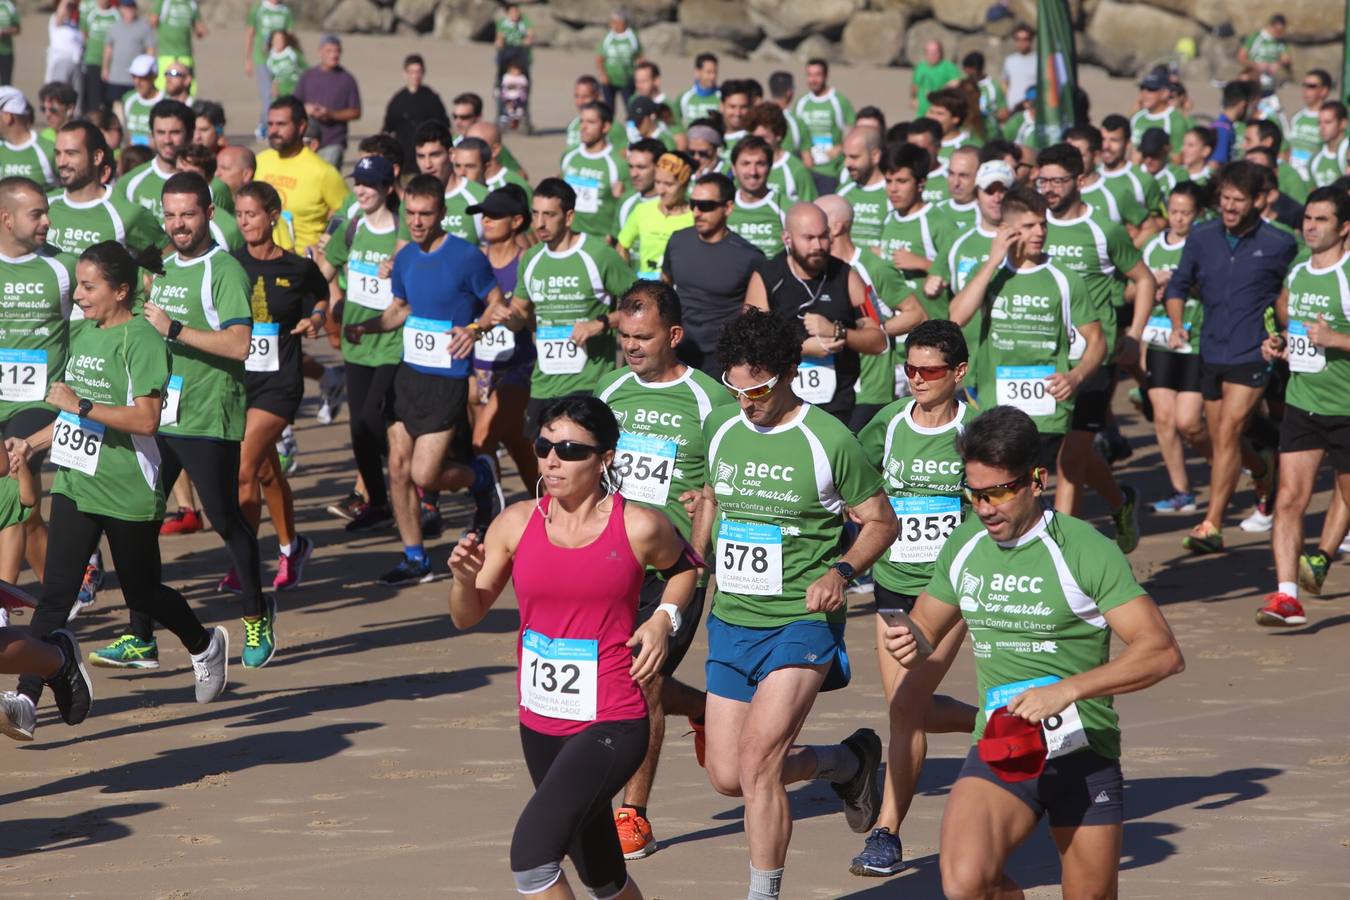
805	281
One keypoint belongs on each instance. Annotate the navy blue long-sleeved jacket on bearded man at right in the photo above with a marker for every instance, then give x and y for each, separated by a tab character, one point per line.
1236	288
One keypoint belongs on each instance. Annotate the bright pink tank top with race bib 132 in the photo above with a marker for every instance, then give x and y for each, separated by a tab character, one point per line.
578	607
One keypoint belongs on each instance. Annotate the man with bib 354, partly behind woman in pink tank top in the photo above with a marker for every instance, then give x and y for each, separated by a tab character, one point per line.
661	405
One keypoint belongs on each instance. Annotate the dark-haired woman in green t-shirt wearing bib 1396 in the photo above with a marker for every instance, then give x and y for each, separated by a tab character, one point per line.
109	481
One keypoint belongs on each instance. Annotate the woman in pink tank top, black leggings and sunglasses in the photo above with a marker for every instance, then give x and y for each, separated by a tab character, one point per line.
577	557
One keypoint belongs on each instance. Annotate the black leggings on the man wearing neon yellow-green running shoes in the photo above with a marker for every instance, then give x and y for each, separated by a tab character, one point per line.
214	469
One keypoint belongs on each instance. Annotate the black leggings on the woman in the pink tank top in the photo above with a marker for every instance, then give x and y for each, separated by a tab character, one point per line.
576	779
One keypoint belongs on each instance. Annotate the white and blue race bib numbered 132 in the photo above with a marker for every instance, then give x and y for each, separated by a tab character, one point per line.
560	677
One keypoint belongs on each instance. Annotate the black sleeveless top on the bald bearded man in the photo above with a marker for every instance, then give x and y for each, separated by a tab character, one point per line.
827	295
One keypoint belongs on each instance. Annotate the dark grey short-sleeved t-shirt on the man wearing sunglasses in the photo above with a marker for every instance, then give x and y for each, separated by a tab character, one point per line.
711	281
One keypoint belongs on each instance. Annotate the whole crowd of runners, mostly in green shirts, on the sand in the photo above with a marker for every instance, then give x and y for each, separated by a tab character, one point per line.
754	353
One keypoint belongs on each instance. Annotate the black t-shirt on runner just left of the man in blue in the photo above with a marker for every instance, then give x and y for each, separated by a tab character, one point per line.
284	292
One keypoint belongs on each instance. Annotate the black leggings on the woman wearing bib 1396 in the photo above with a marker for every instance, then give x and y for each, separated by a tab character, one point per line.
136	554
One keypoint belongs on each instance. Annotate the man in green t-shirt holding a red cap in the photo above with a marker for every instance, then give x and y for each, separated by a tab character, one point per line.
1063	581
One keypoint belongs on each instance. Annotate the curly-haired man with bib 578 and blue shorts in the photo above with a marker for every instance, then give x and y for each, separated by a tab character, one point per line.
782	469
